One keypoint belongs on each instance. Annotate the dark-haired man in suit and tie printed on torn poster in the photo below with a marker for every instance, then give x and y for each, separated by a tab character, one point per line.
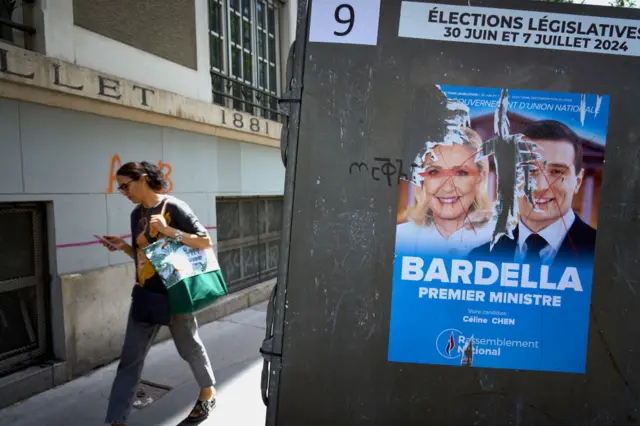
549	231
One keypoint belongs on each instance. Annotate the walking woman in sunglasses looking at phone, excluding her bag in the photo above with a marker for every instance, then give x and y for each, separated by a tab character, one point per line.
156	216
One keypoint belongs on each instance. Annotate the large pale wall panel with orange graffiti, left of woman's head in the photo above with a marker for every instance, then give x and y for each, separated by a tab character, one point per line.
70	152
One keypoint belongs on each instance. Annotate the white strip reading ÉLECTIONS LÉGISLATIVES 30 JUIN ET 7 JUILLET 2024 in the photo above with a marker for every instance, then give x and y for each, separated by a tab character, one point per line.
505	27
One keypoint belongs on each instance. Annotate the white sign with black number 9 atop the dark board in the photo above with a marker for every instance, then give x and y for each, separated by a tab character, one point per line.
345	21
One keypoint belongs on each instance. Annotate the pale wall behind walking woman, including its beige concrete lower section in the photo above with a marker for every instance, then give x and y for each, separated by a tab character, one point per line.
68	159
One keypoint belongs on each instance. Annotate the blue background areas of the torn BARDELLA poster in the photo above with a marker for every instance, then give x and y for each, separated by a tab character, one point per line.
434	330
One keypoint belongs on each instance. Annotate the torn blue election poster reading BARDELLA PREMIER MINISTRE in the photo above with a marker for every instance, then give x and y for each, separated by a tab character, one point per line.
496	232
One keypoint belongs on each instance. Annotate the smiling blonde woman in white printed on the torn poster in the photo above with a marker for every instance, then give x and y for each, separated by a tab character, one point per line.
451	211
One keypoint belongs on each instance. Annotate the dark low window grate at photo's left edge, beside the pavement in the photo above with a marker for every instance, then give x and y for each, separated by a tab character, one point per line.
23	320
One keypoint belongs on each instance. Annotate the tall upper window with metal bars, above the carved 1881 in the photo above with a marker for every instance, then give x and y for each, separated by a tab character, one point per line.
243	38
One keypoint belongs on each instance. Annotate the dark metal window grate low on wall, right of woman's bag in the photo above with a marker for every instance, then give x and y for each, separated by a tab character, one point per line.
248	239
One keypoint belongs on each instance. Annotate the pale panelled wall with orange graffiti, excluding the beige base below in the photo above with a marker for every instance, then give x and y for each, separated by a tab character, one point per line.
68	158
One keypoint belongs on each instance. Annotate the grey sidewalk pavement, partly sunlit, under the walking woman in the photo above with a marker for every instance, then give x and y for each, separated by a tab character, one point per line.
232	343
